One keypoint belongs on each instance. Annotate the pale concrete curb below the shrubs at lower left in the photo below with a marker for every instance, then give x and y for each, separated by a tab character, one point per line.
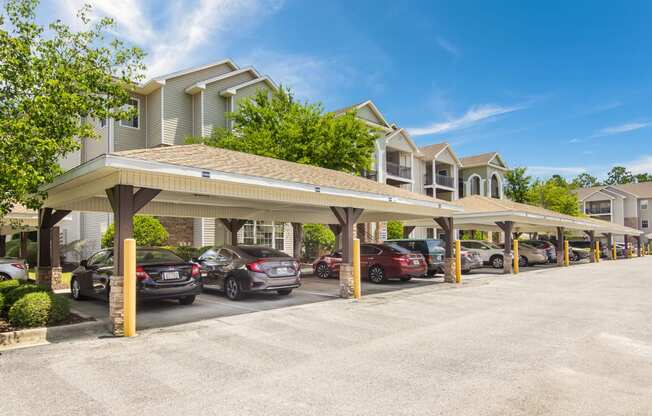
42	336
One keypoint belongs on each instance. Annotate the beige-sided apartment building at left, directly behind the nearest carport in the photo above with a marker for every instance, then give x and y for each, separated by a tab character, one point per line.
170	108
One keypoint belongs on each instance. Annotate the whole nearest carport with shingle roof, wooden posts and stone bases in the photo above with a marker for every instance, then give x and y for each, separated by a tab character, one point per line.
201	181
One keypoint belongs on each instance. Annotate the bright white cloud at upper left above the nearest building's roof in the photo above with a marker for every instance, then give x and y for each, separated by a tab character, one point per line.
177	42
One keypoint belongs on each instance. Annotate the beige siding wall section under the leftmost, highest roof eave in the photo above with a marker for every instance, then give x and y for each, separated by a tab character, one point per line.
177	105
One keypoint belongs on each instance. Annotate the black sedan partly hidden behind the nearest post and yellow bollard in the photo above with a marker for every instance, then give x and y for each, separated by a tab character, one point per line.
160	274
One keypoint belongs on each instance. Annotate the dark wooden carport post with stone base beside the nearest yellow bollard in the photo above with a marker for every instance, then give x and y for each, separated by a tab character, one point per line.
125	204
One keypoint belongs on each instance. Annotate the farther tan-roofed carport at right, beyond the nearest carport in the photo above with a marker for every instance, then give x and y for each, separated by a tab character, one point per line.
512	218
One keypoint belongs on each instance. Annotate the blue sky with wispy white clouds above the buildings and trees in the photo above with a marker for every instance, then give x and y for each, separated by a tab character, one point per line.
556	86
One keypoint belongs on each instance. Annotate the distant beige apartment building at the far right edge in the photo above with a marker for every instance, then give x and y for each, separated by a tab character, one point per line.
627	204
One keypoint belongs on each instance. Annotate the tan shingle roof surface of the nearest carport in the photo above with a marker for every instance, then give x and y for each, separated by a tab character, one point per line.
211	158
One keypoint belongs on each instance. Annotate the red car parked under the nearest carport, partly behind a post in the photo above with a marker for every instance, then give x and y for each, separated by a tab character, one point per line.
378	262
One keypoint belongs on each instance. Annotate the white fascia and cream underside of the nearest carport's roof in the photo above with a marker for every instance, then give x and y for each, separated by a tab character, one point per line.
196	192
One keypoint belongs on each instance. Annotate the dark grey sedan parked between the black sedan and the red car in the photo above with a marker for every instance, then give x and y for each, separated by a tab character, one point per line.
239	270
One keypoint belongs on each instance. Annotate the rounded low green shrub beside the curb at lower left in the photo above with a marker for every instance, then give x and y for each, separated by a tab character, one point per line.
39	309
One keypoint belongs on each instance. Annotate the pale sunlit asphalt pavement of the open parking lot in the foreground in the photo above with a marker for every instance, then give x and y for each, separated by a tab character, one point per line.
571	341
